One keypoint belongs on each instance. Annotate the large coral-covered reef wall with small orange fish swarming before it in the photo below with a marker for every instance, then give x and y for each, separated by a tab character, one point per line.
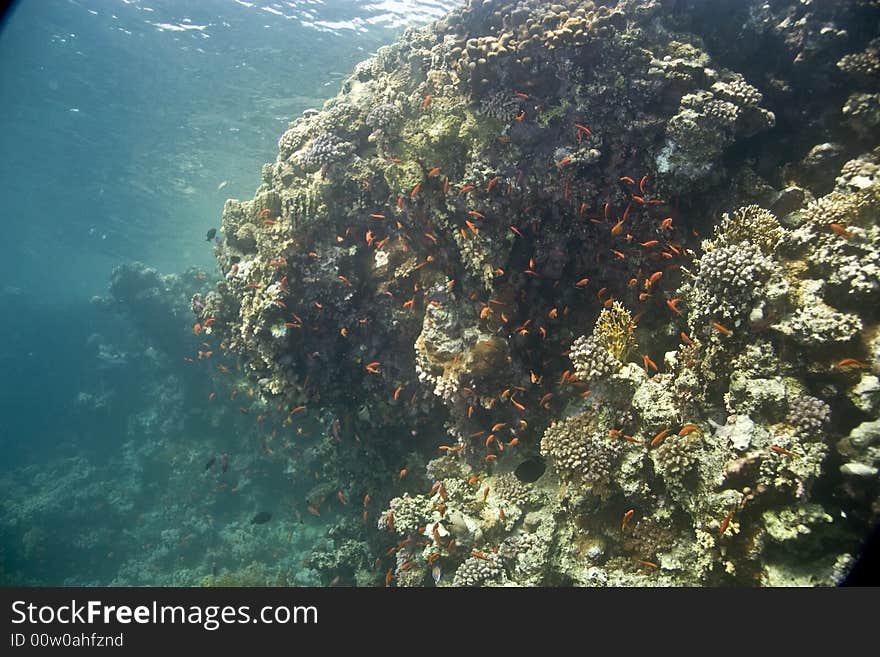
634	240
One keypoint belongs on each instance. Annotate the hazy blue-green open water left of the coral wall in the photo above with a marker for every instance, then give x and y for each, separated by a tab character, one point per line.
125	126
